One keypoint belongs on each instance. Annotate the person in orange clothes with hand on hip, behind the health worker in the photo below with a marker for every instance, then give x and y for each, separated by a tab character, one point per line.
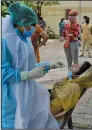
39	33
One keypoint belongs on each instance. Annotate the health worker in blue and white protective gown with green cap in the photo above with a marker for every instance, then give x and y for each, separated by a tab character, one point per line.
25	103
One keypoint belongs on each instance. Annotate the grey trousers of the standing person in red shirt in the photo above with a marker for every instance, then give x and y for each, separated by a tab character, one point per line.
72	53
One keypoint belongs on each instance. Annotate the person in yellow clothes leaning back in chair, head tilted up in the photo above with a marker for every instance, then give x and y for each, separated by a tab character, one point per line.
66	93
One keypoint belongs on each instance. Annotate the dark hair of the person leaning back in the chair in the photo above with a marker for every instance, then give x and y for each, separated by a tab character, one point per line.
85	66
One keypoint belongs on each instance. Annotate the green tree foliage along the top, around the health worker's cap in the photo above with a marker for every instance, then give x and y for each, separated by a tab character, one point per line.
35	5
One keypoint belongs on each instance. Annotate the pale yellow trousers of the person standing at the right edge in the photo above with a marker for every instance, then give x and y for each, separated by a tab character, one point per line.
86	44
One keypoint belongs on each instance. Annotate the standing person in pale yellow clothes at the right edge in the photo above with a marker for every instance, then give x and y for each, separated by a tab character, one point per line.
86	36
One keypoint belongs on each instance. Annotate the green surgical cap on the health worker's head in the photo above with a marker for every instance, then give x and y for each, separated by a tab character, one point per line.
22	15
